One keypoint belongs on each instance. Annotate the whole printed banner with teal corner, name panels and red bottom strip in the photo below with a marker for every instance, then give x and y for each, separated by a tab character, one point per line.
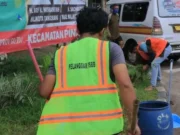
41	22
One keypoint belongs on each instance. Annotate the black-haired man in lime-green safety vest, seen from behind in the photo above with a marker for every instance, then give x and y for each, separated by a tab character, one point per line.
80	85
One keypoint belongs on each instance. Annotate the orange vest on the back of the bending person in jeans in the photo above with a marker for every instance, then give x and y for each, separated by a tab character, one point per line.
157	45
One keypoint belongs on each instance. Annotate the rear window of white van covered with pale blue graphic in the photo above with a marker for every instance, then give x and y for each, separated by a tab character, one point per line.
169	8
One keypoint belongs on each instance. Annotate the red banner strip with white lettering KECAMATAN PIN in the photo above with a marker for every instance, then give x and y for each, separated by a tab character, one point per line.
37	37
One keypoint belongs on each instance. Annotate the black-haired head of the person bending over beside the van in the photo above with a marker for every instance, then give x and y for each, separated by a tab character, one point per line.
130	56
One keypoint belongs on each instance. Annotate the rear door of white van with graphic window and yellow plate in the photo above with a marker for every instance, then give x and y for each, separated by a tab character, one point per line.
169	13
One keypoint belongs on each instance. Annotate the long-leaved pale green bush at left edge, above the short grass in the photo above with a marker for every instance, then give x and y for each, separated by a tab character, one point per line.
20	89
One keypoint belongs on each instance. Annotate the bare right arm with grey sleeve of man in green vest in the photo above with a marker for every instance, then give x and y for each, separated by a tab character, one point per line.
126	91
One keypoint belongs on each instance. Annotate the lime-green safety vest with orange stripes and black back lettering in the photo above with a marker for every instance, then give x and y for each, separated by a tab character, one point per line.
85	100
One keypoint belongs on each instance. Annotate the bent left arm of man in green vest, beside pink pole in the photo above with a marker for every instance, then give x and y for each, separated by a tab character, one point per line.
47	86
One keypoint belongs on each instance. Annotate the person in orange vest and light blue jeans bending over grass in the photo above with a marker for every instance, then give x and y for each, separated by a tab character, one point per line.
155	51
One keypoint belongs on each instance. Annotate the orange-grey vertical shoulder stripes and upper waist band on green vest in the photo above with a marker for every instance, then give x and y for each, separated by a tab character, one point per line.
102	88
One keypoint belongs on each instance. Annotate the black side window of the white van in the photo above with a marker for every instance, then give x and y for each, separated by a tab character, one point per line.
135	12
